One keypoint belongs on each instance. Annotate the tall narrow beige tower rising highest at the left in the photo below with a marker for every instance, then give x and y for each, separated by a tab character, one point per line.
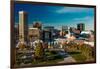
23	27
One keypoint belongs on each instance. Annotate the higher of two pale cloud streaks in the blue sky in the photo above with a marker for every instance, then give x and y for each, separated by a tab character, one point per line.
72	10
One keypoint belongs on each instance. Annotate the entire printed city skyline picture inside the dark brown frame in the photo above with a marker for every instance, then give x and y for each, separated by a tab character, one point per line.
47	34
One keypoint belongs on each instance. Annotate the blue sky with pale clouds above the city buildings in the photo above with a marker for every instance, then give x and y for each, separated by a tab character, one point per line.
57	16
